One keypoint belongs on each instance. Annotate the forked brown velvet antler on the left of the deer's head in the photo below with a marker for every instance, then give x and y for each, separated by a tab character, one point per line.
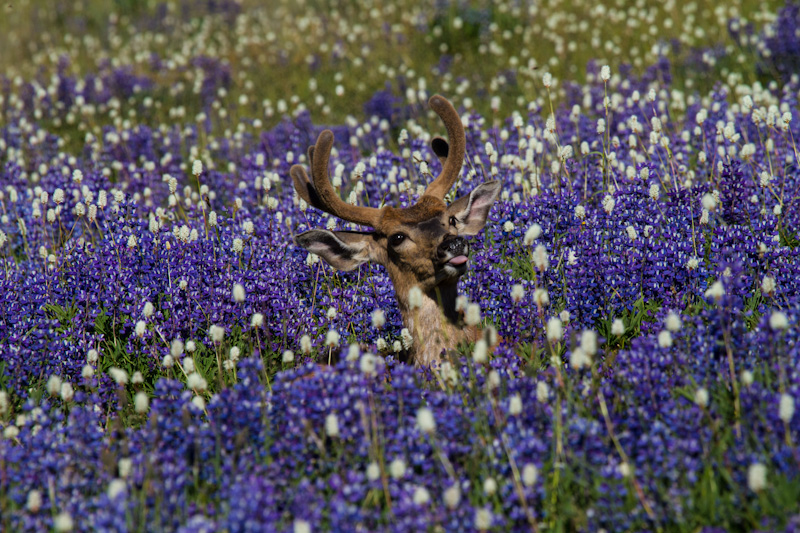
320	194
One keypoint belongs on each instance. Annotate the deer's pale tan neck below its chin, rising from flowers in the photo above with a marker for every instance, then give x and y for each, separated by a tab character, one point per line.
436	325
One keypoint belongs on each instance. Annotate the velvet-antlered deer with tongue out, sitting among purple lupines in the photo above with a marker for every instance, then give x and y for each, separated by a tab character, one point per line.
420	246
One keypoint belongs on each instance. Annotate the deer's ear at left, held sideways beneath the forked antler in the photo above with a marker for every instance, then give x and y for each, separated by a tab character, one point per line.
343	250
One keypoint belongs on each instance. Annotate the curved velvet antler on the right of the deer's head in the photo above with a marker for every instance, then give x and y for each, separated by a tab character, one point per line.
452	156
